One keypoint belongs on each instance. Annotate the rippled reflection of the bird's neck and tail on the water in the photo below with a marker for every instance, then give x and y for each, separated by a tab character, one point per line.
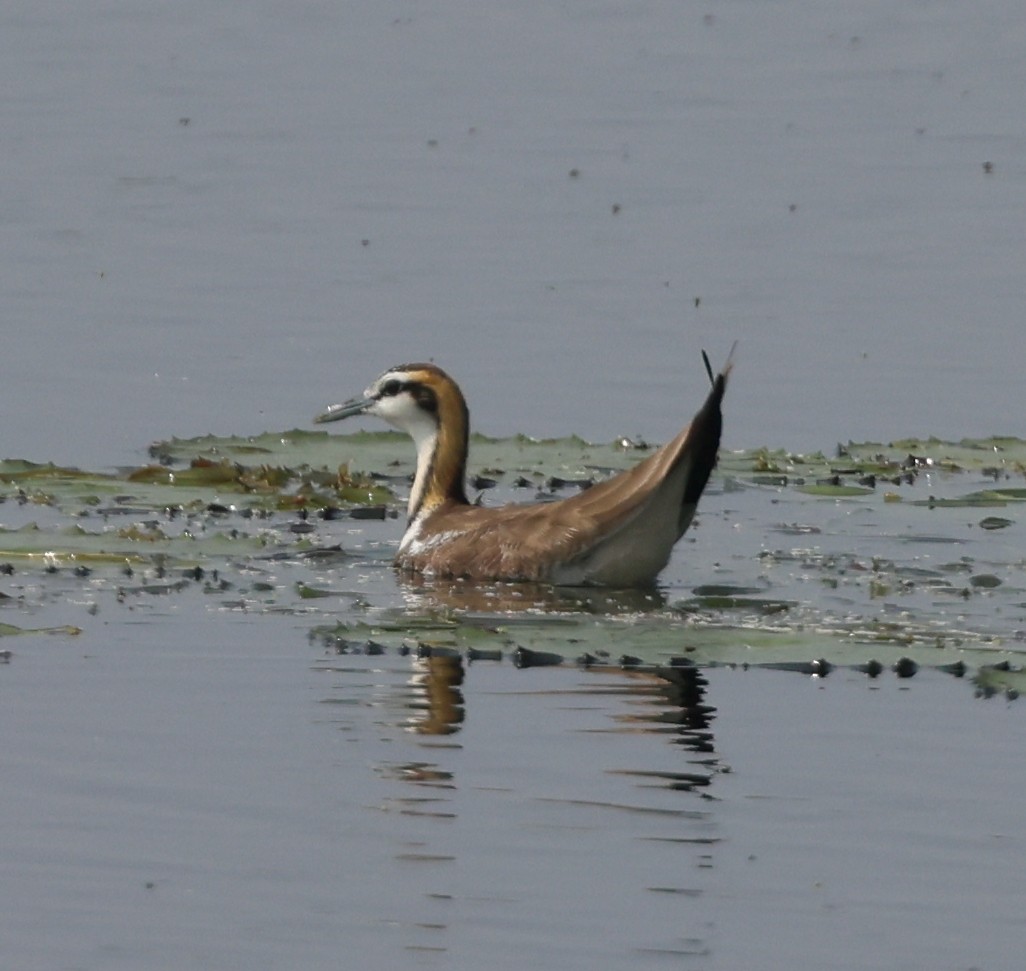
556	759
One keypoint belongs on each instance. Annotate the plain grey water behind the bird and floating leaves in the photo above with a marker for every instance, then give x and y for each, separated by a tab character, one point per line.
220	220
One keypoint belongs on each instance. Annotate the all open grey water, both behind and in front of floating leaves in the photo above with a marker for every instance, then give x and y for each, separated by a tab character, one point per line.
221	219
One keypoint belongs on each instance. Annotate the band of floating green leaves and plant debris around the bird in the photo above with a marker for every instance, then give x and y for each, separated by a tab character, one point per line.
913	550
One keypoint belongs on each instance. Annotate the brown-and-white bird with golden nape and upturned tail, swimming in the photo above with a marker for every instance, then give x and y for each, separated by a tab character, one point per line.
619	533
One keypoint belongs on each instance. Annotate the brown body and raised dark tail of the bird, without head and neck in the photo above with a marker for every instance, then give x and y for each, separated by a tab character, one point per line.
619	533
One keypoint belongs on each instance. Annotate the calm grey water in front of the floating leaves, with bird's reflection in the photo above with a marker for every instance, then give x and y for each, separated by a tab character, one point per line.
210	791
